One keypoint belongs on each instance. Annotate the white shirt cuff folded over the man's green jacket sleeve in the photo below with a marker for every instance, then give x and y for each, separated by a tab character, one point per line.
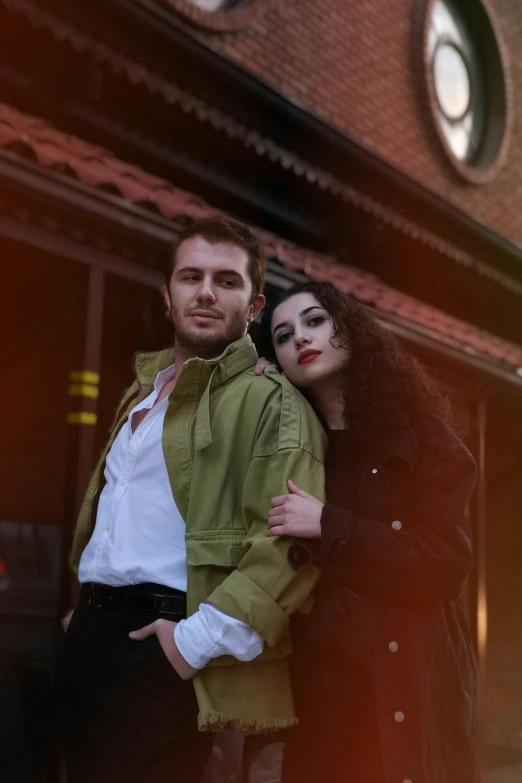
210	633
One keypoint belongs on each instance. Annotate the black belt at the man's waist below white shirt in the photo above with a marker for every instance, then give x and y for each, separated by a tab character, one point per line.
172	603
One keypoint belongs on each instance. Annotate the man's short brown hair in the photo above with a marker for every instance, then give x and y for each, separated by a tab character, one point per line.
228	231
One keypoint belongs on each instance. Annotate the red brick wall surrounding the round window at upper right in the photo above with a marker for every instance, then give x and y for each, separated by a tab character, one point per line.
352	63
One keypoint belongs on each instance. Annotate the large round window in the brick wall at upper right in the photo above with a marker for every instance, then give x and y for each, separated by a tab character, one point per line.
467	85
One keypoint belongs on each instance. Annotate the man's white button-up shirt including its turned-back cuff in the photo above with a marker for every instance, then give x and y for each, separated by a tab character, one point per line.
139	535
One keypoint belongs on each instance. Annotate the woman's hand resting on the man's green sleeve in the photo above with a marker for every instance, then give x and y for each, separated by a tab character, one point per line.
296	514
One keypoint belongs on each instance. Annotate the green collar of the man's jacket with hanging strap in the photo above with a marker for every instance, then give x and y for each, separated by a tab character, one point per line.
235	359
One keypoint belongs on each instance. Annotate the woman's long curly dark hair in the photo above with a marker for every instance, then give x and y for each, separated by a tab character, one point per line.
383	381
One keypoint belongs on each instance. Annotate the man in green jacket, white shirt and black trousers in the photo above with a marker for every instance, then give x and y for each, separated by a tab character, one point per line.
174	526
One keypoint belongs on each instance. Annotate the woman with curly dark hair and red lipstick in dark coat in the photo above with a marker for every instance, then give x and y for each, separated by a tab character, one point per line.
383	667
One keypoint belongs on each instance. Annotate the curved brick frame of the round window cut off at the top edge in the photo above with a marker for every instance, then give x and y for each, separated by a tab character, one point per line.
244	15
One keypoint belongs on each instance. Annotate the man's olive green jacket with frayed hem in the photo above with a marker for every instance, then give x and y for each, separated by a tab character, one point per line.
231	440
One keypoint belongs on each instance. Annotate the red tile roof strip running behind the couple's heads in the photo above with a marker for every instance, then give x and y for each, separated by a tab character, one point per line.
99	168
